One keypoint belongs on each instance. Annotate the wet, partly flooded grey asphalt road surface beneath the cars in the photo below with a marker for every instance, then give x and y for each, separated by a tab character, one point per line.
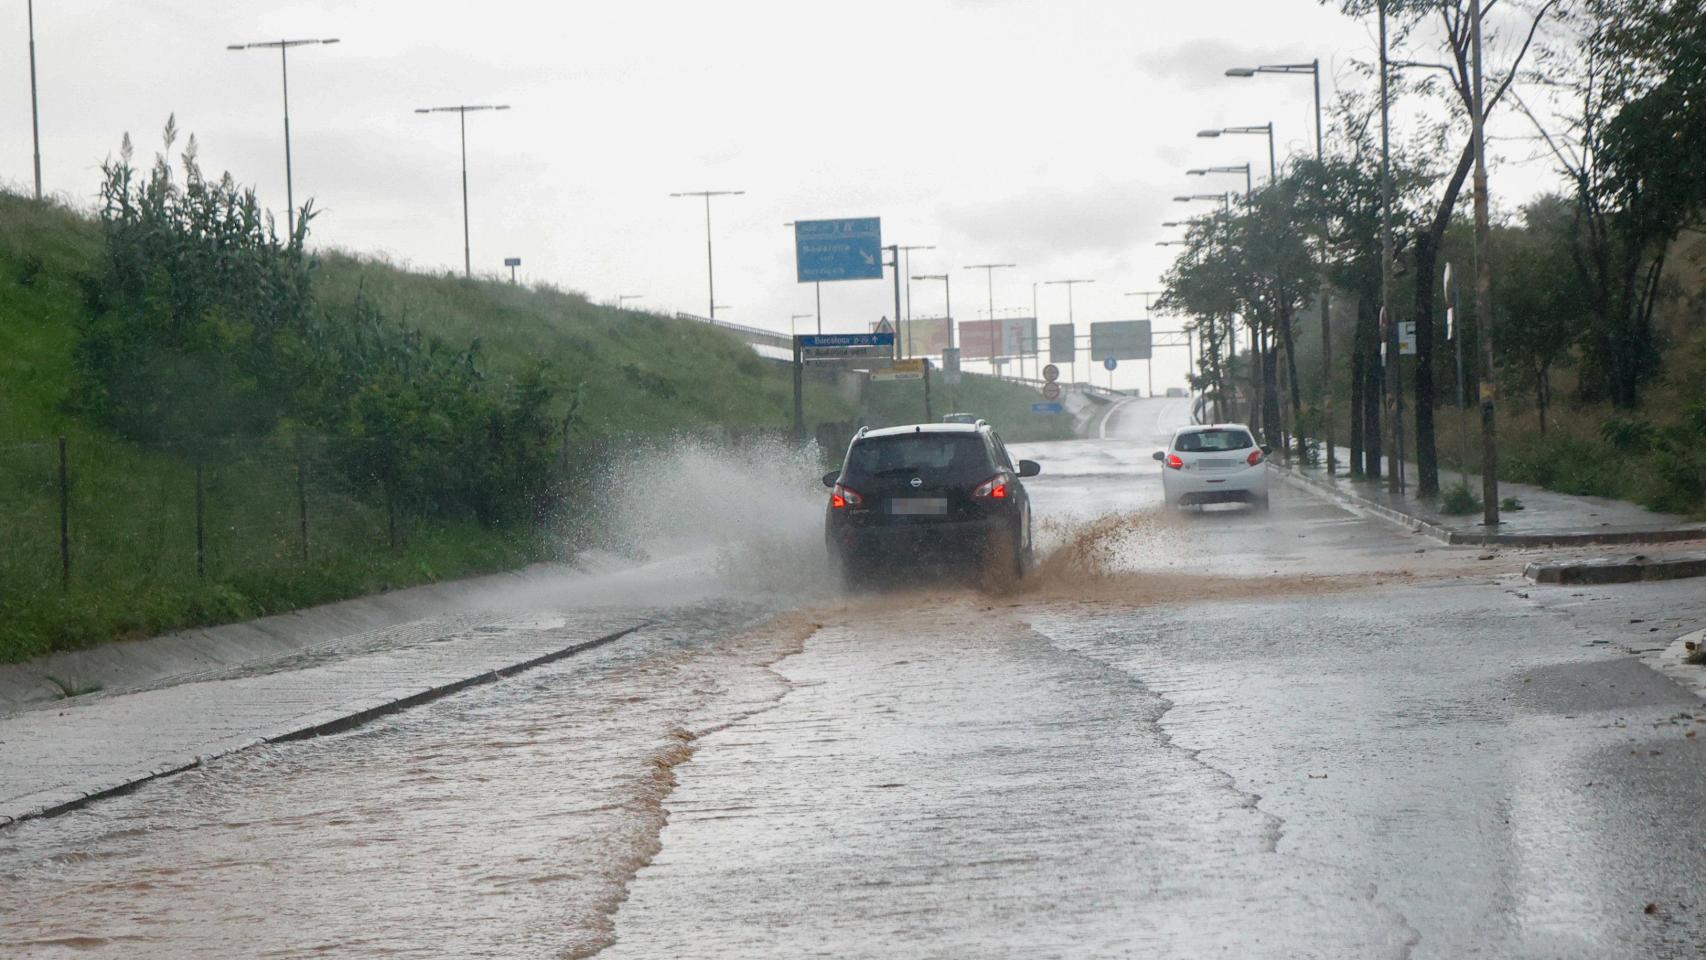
1216	734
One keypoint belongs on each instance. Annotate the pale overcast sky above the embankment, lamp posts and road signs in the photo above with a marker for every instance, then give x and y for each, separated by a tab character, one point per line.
1048	134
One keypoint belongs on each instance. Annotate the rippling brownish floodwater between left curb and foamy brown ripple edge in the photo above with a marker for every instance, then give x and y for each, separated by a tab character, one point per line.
496	824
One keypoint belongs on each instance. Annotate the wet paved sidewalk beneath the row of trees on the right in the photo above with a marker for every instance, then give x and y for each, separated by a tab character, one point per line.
1546	518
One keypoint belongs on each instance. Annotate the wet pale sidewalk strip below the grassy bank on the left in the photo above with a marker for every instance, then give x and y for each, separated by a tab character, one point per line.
64	755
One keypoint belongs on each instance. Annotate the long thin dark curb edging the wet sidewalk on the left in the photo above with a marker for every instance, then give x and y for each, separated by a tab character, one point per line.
320	724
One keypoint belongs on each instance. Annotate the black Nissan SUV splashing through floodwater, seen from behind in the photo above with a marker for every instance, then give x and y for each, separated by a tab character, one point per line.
929	492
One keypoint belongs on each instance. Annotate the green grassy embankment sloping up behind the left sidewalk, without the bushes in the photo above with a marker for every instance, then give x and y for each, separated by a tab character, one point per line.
132	507
